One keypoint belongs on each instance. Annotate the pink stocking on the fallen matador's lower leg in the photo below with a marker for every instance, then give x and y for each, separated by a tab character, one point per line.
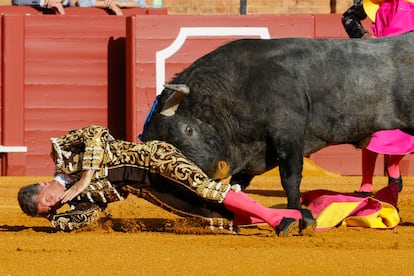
248	211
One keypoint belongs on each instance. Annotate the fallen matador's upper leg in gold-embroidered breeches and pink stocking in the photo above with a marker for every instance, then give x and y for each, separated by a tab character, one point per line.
167	161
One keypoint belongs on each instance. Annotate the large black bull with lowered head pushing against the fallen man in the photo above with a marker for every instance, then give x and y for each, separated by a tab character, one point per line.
252	104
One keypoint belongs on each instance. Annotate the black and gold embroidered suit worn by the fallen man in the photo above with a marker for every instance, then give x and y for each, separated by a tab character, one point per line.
122	167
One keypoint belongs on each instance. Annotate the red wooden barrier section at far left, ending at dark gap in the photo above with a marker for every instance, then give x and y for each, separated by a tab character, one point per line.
59	73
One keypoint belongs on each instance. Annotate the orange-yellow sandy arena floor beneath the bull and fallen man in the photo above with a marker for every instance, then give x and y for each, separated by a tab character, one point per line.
141	239
